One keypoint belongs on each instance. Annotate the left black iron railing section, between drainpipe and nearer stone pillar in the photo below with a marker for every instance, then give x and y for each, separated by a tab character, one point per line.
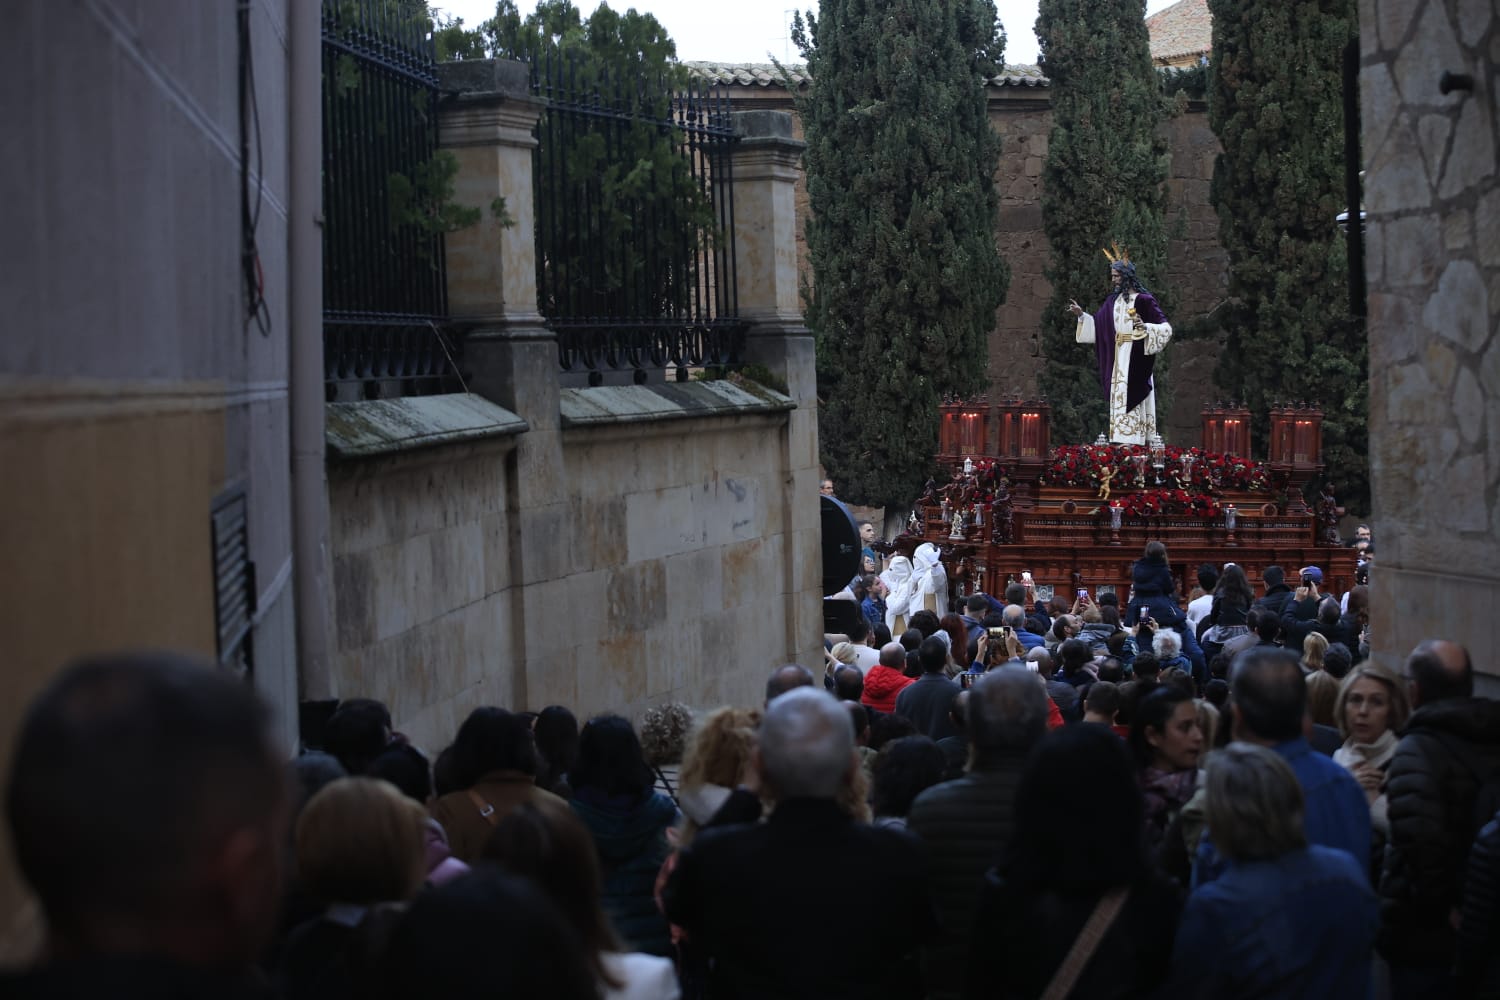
385	290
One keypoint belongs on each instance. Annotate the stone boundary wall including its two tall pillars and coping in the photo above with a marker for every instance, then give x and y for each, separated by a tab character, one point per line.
607	548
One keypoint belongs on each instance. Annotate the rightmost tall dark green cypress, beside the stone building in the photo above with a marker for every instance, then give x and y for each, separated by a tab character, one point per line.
1276	103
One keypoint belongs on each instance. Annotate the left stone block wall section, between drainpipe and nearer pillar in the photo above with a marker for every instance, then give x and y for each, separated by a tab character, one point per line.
422	585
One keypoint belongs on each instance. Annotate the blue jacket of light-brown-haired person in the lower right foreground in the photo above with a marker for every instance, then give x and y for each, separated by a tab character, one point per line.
1298	927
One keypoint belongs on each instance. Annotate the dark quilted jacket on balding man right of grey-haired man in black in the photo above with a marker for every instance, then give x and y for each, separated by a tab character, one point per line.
967	824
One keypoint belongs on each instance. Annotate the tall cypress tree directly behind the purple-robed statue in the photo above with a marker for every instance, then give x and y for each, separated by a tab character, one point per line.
1105	181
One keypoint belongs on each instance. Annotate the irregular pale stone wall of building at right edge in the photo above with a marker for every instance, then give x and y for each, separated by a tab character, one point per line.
1433	269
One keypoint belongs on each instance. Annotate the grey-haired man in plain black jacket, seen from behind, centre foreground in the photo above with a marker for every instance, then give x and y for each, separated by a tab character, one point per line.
739	890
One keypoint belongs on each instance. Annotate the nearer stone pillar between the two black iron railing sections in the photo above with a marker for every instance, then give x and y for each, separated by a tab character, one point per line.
511	355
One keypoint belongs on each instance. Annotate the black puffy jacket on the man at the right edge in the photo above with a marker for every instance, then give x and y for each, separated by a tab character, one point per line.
1433	782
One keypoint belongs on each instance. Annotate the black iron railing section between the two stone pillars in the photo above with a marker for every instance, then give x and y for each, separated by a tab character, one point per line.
635	223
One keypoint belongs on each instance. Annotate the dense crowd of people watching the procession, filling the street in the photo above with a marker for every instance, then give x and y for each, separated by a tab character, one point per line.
1165	797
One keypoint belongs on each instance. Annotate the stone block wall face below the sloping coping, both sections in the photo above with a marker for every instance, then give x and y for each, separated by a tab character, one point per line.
665	570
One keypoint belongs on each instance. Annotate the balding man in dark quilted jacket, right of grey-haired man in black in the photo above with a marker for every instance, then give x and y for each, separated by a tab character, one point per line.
968	822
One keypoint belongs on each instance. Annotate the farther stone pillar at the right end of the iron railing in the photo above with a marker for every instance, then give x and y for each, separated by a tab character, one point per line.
767	164
